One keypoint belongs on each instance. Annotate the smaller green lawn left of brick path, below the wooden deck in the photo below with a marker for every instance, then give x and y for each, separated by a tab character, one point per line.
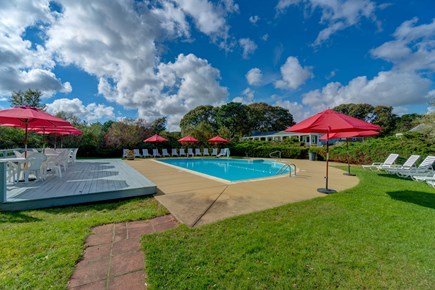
39	249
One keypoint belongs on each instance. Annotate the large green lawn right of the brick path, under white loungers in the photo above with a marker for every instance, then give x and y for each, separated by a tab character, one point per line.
380	234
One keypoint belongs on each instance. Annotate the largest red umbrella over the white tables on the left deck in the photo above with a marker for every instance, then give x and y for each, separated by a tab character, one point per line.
28	117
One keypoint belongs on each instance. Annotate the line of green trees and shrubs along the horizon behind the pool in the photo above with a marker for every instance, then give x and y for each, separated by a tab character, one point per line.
232	121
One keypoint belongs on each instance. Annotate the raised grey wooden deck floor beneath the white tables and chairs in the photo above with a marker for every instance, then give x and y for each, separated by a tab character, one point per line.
84	181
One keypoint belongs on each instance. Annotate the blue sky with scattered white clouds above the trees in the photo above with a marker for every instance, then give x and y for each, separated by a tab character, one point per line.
106	60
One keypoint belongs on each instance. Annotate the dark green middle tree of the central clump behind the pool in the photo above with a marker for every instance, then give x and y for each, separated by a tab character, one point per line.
234	116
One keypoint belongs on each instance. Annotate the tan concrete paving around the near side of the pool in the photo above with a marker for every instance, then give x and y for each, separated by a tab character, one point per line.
196	200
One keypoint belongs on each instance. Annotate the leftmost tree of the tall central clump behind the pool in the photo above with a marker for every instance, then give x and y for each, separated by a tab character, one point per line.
201	114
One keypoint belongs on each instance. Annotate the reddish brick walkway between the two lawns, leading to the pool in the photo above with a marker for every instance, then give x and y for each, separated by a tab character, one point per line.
113	258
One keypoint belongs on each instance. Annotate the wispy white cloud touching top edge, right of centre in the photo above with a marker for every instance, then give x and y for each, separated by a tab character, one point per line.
336	15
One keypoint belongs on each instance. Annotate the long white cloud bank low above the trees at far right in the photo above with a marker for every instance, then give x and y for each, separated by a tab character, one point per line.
389	88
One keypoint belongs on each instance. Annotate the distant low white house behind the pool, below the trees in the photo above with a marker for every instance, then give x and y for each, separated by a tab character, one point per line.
307	138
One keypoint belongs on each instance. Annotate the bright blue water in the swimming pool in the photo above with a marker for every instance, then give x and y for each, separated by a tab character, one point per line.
230	169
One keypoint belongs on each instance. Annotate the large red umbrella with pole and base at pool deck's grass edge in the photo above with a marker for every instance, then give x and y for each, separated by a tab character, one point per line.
330	121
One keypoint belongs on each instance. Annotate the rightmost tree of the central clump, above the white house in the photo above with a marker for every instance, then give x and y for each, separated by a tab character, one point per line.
263	117
